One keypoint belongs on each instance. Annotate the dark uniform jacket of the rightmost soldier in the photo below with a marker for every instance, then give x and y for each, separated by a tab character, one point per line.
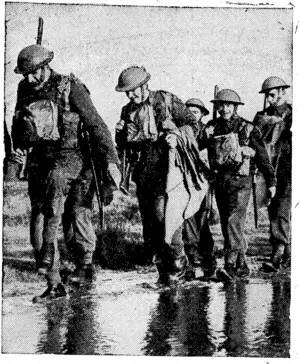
279	134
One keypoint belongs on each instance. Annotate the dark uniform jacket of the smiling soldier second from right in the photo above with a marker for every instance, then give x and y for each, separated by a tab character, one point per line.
248	135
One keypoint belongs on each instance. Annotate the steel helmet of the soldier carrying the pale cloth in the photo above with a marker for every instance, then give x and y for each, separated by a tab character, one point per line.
132	78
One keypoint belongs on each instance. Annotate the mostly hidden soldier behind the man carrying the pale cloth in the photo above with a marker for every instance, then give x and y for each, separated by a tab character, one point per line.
197	236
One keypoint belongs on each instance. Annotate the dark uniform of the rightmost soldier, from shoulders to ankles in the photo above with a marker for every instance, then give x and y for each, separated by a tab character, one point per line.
275	125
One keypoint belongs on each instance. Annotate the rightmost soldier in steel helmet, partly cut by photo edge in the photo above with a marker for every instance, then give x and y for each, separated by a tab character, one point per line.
275	123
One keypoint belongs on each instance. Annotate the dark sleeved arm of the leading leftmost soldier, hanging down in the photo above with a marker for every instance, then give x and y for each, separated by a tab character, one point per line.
100	135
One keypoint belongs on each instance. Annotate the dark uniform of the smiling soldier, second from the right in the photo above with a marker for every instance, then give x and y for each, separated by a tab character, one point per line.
233	184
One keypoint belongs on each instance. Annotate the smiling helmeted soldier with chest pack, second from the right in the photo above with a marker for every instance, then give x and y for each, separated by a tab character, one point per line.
234	144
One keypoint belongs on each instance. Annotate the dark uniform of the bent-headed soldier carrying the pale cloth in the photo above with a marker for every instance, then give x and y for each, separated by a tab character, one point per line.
144	131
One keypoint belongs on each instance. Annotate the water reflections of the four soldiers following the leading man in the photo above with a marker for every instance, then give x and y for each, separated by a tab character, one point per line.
243	319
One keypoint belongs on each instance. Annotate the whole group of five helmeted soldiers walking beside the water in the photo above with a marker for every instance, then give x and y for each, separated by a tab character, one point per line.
177	163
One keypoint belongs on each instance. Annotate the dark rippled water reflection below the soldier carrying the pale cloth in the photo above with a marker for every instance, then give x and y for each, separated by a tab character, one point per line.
179	324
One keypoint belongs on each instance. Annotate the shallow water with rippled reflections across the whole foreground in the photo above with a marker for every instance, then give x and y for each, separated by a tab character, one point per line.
124	313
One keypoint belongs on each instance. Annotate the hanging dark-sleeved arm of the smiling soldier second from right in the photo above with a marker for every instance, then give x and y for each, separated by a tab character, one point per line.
261	157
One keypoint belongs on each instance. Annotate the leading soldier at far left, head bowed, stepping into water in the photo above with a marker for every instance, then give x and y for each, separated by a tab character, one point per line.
53	115
